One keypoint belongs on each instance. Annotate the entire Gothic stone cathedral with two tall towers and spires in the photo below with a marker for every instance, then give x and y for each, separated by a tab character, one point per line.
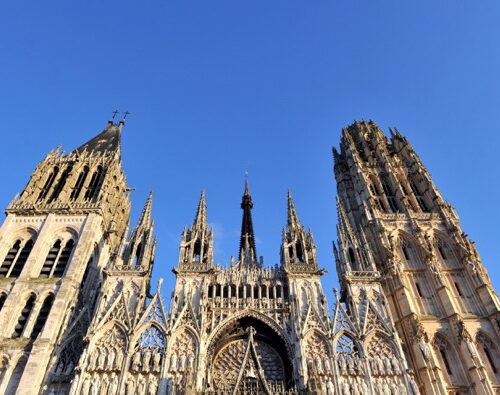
416	312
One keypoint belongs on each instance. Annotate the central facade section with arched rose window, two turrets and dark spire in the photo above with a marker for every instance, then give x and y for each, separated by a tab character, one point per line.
246	328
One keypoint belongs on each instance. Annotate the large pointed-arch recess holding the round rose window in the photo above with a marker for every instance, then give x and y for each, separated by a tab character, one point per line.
249	357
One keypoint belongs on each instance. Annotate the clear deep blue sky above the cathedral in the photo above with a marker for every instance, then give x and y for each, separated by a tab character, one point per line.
221	87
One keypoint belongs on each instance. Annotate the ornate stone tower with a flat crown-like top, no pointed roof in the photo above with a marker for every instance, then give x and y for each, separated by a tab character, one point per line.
401	248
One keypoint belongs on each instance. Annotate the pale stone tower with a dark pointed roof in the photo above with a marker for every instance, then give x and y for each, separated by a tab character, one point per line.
58	234
